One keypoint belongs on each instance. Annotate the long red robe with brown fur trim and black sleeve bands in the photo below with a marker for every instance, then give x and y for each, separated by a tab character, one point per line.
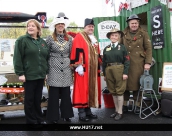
87	88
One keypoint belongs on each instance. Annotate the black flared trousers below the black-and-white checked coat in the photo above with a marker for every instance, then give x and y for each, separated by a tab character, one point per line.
53	103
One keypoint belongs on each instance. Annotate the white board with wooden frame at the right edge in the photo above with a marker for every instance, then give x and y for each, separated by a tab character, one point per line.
167	77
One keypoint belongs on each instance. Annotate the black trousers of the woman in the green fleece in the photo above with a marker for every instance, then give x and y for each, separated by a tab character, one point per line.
32	100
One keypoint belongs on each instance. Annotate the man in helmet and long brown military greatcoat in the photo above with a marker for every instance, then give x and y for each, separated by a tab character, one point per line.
139	49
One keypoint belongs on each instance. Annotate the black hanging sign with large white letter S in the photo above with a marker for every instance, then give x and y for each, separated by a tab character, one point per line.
157	27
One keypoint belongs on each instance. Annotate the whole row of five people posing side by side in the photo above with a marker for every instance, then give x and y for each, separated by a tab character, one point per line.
60	59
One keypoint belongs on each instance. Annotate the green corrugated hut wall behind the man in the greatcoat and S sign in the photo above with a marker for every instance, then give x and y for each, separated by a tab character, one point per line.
160	55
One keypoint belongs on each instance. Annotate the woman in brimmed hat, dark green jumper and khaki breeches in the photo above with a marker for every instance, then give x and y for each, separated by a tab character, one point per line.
115	70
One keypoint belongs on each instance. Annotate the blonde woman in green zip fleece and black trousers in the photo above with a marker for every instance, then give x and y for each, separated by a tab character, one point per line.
31	65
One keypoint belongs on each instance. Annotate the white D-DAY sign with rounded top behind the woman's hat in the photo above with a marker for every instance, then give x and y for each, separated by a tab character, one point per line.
103	28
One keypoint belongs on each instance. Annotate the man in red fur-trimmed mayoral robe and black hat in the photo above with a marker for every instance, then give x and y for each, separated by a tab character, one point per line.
85	57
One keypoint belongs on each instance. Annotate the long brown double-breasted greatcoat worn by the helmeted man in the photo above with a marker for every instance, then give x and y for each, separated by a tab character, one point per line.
140	51
